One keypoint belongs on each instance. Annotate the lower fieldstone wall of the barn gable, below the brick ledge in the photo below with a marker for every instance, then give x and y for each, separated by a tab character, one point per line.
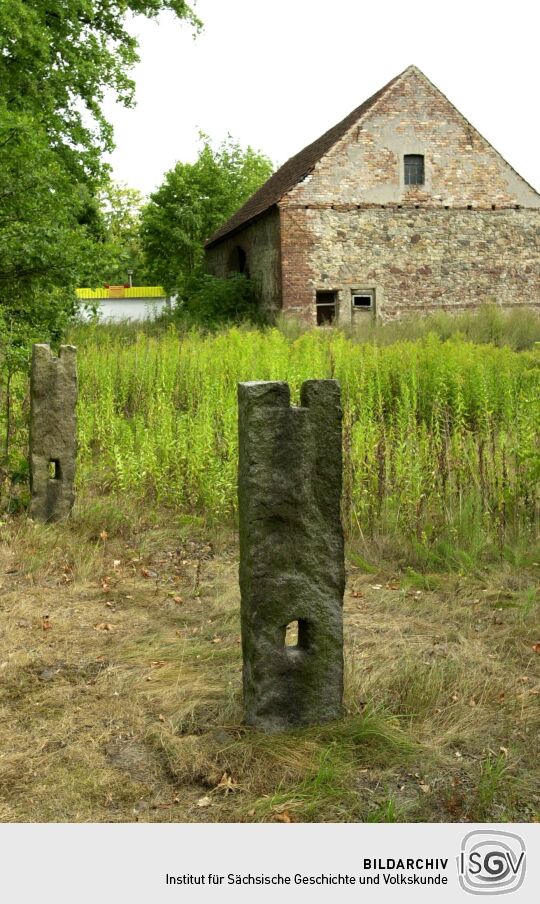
415	260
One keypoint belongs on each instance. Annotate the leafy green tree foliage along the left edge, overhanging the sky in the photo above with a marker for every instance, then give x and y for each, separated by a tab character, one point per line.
57	59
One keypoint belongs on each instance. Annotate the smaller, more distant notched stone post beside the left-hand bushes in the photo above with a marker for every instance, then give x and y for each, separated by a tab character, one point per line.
53	432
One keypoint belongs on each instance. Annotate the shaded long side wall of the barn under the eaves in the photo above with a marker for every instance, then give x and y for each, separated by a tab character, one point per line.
260	242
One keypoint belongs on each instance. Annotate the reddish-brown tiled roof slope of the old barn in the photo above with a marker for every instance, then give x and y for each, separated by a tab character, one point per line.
295	169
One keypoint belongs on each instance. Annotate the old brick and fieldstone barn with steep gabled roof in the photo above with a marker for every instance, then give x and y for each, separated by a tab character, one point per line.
403	206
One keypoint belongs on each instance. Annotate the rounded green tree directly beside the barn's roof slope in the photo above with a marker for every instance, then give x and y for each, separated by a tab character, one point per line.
193	200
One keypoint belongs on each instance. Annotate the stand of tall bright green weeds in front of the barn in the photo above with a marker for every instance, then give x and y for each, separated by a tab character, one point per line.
440	437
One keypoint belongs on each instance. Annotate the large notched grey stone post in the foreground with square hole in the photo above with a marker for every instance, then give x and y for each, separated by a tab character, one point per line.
291	553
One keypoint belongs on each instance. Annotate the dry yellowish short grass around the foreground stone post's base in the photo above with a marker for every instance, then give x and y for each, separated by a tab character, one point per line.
120	689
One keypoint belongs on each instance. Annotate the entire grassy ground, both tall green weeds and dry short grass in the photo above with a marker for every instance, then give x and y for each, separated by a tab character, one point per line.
120	655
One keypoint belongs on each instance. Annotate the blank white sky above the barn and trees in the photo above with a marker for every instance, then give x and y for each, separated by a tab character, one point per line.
277	73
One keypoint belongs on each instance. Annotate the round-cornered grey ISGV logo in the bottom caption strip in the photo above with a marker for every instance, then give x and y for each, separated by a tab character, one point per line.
491	863
